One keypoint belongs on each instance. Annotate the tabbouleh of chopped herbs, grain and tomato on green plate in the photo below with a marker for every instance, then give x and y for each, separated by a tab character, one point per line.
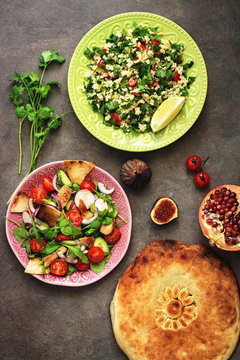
132	74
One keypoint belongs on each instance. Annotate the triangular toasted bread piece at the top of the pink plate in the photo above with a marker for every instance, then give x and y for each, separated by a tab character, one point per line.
78	169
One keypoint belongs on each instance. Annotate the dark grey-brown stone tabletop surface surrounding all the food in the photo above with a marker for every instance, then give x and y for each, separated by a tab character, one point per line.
39	321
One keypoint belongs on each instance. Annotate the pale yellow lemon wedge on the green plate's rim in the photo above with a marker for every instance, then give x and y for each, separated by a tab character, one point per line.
166	112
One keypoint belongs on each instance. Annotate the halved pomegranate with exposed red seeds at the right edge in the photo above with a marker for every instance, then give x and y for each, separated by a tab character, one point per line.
219	217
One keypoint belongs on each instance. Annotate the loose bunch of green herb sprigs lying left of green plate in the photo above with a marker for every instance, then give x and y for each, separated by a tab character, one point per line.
27	94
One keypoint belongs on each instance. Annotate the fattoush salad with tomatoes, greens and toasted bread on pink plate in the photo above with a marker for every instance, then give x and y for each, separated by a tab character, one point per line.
69	223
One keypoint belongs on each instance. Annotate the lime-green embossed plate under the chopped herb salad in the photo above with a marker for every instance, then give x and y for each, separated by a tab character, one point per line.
93	121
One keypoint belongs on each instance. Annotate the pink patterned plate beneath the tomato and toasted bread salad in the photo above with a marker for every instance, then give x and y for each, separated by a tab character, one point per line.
118	251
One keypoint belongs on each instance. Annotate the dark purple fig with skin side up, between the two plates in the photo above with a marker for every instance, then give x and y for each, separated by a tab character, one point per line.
135	173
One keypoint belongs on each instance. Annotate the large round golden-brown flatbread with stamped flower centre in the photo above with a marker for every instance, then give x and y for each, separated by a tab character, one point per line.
176	302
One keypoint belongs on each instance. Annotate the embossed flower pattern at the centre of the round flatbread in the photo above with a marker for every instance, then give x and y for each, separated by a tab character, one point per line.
175	308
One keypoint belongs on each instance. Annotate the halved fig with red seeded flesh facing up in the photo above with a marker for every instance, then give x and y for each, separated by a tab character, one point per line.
164	211
